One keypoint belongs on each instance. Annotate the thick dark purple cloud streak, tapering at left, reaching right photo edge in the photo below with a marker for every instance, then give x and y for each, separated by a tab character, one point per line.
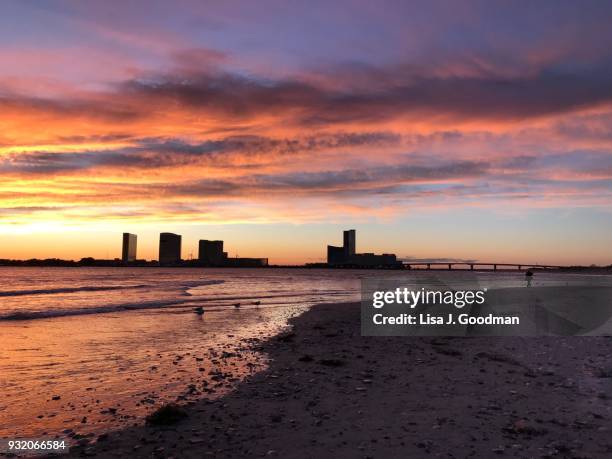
477	97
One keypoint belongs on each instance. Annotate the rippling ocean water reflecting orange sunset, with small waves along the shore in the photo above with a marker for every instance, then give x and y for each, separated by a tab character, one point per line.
86	350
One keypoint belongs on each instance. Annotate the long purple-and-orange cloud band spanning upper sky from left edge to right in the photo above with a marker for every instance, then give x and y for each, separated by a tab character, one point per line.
305	103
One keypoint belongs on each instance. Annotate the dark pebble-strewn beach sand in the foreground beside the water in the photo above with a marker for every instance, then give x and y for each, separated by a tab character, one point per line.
329	392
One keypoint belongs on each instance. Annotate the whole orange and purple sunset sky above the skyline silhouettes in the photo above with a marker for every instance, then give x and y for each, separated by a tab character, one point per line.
462	130
